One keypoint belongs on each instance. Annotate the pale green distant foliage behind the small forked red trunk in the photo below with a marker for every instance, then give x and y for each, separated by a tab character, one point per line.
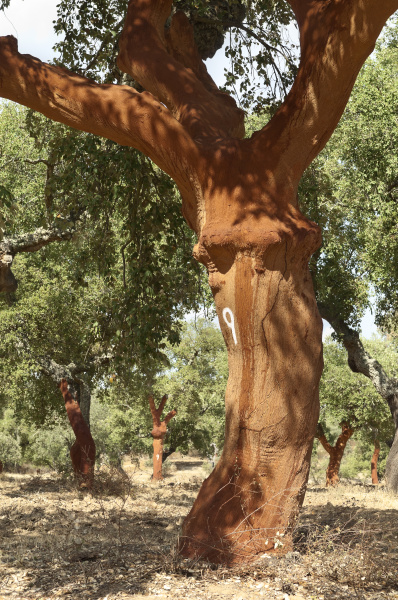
194	378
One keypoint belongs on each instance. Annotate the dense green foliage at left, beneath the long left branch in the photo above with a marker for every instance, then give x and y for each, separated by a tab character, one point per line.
78	303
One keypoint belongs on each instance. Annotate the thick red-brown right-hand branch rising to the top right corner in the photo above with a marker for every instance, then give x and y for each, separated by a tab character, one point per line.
336	37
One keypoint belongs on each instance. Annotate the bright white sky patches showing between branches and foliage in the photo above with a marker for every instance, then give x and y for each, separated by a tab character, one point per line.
30	21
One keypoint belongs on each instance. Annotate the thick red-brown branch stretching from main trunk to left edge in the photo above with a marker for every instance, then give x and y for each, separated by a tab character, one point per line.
116	112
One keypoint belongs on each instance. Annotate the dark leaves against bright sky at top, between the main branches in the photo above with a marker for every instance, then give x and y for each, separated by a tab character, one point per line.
262	56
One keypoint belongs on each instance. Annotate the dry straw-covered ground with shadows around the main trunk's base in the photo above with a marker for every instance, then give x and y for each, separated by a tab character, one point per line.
57	541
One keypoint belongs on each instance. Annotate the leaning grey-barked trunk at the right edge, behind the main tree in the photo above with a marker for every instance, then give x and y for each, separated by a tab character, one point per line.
360	361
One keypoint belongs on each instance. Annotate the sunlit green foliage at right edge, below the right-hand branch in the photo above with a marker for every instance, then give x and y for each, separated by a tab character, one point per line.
351	191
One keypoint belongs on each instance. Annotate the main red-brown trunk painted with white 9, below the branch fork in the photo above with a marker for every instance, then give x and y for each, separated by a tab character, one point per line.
269	319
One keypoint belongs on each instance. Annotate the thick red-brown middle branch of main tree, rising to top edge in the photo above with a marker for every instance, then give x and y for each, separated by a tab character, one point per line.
178	79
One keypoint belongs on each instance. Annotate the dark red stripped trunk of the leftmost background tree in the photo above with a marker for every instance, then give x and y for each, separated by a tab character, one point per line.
82	452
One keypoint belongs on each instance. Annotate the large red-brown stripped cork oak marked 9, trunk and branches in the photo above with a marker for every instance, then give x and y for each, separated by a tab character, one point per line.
240	197
